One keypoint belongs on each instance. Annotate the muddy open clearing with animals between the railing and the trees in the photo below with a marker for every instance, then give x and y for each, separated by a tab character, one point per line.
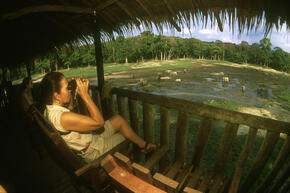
256	88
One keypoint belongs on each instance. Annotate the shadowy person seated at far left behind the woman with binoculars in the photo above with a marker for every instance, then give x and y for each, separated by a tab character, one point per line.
26	94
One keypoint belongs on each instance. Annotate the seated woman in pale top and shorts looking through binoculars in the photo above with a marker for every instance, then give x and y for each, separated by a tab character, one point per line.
76	129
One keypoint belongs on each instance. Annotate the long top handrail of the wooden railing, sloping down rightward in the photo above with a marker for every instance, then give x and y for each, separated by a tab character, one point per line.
208	111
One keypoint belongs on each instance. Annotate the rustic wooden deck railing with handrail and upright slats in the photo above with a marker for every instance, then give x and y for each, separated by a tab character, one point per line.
129	104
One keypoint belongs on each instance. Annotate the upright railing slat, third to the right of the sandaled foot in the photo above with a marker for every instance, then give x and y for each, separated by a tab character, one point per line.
205	127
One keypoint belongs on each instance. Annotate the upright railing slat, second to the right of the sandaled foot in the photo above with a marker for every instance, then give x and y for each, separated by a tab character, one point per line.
181	135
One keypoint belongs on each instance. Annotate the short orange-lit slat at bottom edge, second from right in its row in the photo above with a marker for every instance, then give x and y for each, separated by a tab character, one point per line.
165	183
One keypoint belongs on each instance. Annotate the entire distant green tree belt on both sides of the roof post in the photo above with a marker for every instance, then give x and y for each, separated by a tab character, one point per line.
148	46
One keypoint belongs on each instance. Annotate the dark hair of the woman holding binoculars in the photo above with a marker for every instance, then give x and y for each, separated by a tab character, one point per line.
49	85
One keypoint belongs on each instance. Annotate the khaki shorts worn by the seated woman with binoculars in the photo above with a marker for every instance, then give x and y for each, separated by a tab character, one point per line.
102	143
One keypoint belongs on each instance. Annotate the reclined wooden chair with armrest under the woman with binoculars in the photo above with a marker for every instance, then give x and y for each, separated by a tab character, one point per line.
89	174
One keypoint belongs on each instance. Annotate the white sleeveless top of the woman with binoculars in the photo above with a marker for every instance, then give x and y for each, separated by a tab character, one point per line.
74	139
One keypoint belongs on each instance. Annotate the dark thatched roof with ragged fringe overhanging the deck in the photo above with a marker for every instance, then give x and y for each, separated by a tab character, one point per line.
32	27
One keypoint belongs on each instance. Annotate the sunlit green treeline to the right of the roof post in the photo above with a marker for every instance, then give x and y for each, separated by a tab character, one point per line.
149	46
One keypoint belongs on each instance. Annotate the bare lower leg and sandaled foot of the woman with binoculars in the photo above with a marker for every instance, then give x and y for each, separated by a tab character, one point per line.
121	125
